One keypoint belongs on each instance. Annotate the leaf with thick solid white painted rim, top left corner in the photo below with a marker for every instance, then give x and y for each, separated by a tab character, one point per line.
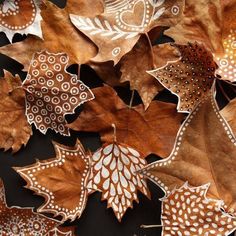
21	17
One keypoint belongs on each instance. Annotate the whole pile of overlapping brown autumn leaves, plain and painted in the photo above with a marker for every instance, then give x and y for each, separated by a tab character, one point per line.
155	49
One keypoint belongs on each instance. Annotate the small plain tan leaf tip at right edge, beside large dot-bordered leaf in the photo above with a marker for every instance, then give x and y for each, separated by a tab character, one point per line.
229	113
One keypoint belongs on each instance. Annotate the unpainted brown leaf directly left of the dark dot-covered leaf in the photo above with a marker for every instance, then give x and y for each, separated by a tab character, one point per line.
136	63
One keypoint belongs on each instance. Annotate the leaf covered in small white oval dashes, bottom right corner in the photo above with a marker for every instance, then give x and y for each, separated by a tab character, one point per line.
187	211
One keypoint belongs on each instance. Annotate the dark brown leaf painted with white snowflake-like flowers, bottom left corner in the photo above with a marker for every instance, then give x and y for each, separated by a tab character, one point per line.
22	221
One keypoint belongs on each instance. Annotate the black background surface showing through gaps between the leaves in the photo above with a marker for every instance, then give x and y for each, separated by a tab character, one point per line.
96	220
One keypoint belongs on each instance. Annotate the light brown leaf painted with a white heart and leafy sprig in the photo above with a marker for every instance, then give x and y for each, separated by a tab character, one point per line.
117	30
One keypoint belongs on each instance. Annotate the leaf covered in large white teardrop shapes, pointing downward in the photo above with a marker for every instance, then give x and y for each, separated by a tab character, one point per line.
114	173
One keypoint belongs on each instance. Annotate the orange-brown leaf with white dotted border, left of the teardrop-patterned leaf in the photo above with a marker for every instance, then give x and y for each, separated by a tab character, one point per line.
61	181
